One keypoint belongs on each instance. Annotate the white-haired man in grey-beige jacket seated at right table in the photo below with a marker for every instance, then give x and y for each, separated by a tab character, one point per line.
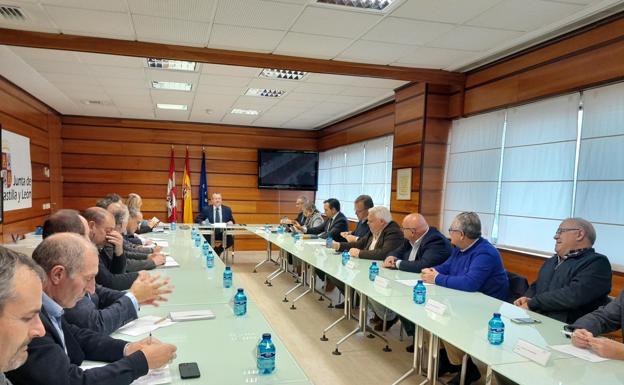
384	237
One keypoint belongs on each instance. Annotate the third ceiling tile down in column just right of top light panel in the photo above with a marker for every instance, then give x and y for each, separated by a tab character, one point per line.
375	52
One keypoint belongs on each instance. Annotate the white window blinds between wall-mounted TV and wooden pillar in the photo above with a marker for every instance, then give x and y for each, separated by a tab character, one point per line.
360	168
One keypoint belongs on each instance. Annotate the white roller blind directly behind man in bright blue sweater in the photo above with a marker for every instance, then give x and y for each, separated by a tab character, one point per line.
473	168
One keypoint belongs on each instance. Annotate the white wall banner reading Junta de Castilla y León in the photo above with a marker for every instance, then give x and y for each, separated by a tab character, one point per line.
16	171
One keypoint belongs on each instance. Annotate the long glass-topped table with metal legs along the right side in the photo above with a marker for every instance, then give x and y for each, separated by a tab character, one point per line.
463	322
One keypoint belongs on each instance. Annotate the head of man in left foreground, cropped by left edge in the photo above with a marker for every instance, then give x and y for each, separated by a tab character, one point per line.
20	303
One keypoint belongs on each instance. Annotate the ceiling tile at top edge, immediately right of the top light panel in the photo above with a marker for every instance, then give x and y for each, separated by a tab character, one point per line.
446	11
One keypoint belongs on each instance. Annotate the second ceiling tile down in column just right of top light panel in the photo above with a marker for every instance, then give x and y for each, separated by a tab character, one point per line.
406	31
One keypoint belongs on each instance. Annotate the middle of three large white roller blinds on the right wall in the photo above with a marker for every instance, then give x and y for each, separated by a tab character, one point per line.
537	177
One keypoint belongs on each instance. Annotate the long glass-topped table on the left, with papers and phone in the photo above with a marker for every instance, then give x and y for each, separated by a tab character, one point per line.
223	347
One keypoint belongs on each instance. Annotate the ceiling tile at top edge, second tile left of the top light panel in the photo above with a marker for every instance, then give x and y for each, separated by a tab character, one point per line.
193	10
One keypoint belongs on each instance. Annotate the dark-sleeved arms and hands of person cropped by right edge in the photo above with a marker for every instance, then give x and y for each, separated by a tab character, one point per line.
603	320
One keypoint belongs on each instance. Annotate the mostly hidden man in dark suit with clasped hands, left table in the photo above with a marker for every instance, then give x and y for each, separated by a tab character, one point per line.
105	310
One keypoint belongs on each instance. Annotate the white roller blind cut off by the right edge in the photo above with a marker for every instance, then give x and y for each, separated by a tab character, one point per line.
600	185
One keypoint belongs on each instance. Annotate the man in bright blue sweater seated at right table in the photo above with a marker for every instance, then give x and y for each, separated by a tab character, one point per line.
474	265
